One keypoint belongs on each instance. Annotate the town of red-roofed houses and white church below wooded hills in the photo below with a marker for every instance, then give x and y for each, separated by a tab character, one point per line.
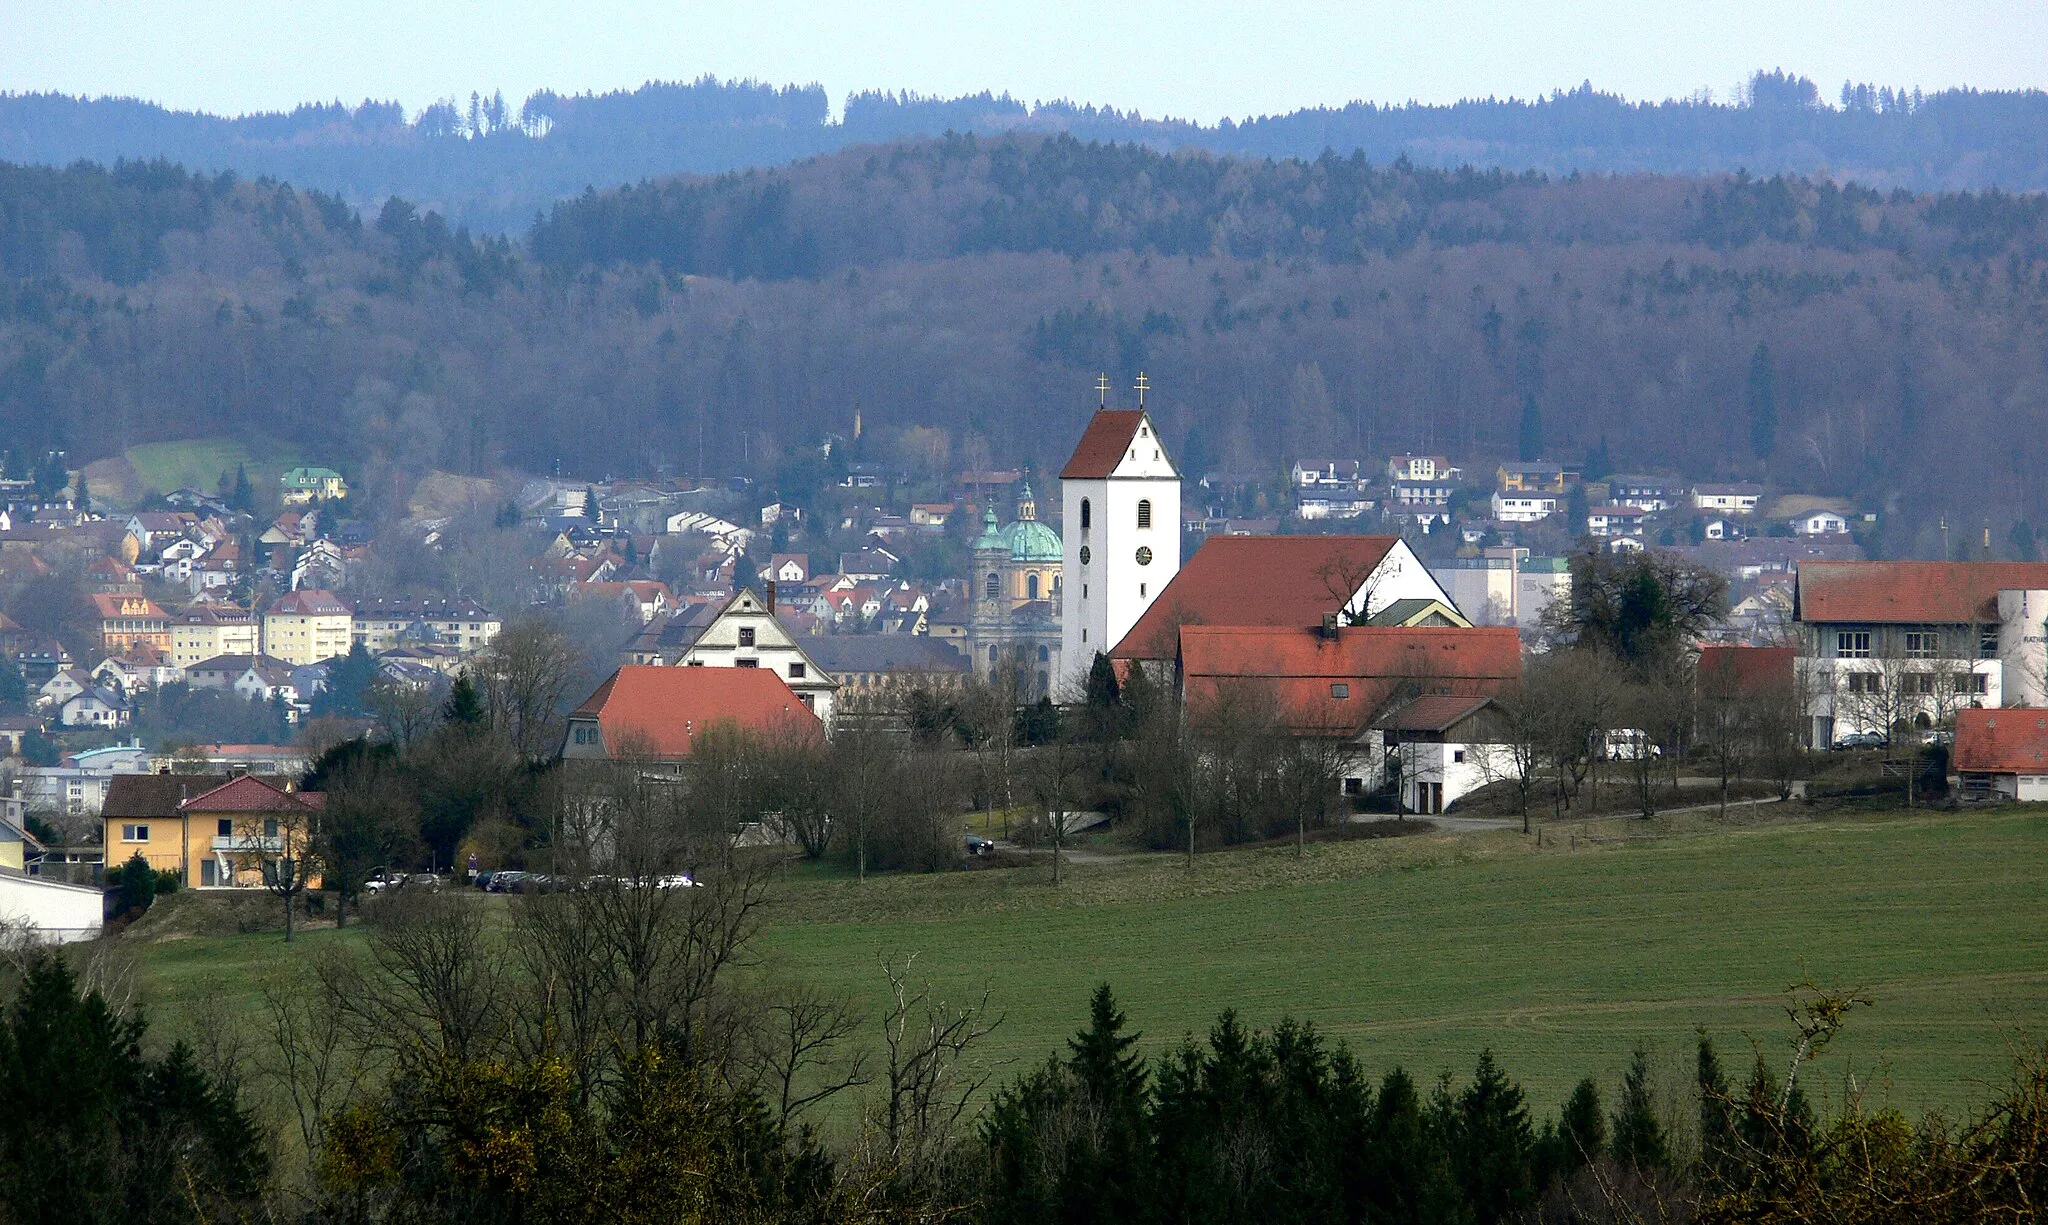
1388	607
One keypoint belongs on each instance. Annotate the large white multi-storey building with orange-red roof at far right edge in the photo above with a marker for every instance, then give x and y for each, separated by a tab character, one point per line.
1908	644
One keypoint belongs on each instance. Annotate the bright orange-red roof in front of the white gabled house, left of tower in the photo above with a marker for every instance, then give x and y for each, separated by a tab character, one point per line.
663	712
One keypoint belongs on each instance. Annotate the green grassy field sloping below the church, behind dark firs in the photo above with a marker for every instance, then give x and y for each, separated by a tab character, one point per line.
1424	949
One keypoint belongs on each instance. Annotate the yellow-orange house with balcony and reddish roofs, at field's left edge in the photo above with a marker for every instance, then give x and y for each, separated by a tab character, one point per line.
216	833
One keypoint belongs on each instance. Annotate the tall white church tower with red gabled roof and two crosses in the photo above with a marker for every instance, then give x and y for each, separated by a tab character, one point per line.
1121	521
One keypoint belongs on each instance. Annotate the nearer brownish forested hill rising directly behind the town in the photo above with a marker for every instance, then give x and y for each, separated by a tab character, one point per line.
964	294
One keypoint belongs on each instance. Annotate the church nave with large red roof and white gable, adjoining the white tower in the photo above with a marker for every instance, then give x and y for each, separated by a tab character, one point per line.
1283	583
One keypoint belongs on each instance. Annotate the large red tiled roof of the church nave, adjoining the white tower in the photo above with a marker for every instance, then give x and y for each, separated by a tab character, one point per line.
1254	581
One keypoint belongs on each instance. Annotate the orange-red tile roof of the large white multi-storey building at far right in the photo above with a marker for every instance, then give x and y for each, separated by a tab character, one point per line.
1922	593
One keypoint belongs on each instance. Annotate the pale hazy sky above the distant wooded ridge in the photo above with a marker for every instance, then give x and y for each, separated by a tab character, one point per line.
1191	58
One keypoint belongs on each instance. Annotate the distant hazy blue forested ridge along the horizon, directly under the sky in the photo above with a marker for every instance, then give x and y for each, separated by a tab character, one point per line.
493	165
